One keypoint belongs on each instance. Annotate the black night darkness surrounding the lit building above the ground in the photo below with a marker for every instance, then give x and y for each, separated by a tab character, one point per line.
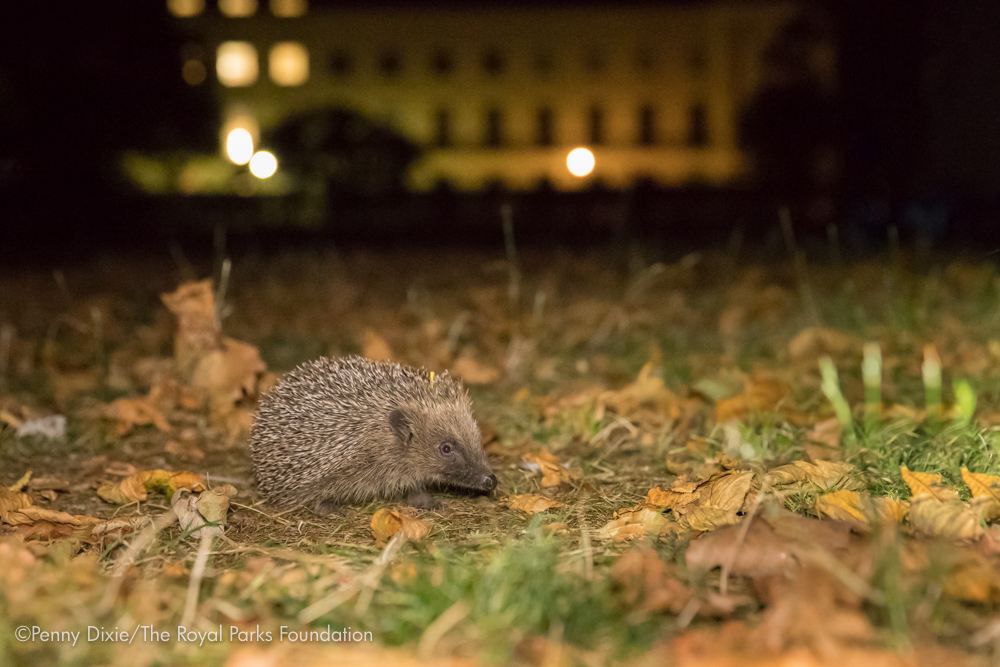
913	123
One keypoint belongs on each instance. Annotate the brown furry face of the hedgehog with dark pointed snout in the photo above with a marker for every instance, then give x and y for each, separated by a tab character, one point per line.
445	446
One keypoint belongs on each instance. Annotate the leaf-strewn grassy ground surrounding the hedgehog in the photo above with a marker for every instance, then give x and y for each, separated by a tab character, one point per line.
644	420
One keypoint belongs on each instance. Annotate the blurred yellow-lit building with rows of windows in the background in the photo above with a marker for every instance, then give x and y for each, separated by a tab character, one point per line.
499	94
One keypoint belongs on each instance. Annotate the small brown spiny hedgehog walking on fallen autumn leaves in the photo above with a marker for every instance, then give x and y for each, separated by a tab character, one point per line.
350	430
